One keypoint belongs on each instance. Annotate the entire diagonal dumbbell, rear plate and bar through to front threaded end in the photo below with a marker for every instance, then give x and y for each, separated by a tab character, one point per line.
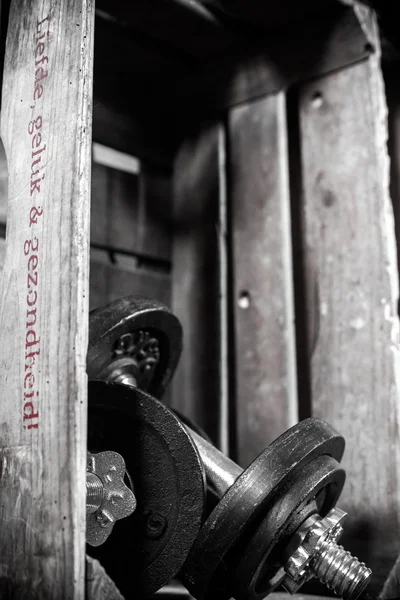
278	520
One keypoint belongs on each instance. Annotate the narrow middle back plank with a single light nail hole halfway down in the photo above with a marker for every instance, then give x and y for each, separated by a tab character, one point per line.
266	398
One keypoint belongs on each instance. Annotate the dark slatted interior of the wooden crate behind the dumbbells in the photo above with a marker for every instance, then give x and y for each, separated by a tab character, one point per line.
217	189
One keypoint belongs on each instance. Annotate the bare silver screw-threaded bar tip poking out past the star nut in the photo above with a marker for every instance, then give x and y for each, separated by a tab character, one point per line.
340	571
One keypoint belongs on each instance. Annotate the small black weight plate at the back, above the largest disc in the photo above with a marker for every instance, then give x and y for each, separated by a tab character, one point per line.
134	336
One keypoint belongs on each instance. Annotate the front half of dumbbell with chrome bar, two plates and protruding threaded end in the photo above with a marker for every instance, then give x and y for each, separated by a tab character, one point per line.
289	493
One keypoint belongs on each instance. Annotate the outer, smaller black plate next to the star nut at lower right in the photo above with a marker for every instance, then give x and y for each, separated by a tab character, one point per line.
256	573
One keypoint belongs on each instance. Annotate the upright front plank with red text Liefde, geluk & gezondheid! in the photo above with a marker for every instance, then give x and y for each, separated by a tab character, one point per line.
46	130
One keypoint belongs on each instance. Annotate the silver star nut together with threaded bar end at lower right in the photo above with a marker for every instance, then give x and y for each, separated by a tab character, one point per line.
320	556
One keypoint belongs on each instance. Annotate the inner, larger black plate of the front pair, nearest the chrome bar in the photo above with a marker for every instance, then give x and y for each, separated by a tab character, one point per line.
252	491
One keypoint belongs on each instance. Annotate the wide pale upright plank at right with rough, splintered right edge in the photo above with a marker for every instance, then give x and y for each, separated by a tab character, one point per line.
352	274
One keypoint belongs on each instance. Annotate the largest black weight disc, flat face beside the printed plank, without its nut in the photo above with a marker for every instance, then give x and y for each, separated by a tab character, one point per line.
147	549
